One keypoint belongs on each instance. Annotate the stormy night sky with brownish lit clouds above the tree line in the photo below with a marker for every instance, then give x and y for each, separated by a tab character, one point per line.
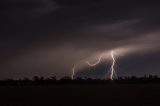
48	37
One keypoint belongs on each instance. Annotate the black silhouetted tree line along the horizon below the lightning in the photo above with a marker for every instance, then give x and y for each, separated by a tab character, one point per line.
36	80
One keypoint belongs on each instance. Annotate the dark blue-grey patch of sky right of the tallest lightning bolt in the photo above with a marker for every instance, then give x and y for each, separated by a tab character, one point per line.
139	64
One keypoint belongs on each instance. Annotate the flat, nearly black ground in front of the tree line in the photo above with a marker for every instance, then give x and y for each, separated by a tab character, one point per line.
81	95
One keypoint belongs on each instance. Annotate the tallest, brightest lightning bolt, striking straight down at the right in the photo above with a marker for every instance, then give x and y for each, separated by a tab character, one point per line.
113	64
